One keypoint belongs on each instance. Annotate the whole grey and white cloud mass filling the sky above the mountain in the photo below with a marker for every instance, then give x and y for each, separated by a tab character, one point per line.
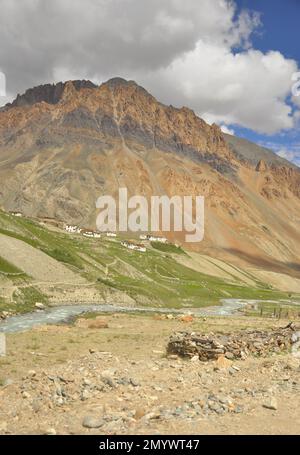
194	52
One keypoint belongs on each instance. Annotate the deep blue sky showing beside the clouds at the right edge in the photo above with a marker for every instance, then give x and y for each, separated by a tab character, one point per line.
279	31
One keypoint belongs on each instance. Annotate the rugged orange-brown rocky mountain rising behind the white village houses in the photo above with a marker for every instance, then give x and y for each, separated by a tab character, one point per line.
64	145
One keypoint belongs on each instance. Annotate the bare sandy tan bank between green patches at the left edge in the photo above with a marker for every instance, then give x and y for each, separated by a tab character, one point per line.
35	263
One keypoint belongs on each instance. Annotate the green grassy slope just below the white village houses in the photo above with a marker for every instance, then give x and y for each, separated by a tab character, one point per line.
154	277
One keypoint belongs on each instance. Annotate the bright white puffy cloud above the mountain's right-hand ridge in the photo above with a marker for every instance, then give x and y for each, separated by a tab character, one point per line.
247	88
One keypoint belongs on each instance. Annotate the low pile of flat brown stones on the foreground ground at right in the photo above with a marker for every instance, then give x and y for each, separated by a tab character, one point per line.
233	346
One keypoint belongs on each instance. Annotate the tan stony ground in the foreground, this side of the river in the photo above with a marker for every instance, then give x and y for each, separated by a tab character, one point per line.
112	376
